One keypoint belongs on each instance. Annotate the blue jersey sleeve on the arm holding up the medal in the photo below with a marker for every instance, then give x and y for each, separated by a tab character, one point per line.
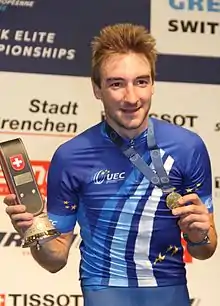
198	176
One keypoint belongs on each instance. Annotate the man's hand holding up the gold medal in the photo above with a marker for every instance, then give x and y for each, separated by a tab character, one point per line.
194	217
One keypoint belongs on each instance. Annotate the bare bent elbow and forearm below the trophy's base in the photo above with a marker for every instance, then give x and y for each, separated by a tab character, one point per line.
53	254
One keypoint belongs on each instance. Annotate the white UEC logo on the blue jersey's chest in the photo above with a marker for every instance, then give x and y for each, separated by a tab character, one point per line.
107	177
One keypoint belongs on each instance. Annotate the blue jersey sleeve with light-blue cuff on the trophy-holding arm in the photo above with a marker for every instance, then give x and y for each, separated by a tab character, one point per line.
62	194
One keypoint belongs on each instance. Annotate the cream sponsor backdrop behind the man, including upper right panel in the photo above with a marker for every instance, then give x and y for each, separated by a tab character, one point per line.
67	103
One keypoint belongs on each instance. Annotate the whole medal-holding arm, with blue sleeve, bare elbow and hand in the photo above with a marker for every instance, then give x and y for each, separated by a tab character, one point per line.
196	213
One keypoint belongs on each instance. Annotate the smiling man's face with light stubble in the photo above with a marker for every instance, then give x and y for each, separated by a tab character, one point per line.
126	90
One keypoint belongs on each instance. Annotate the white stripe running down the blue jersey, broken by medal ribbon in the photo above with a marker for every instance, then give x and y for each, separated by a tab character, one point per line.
144	269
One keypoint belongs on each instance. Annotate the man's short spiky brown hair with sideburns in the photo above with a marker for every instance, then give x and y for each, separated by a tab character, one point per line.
122	38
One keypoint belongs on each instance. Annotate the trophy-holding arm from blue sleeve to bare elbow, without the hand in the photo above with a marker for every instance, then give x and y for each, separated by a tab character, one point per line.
61	207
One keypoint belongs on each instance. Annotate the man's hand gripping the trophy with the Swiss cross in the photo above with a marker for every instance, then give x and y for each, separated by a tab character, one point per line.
20	219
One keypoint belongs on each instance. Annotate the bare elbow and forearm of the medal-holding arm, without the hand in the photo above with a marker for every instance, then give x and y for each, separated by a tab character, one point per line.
205	251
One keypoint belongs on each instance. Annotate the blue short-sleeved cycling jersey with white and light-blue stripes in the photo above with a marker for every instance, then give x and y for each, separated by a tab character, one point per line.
129	236
